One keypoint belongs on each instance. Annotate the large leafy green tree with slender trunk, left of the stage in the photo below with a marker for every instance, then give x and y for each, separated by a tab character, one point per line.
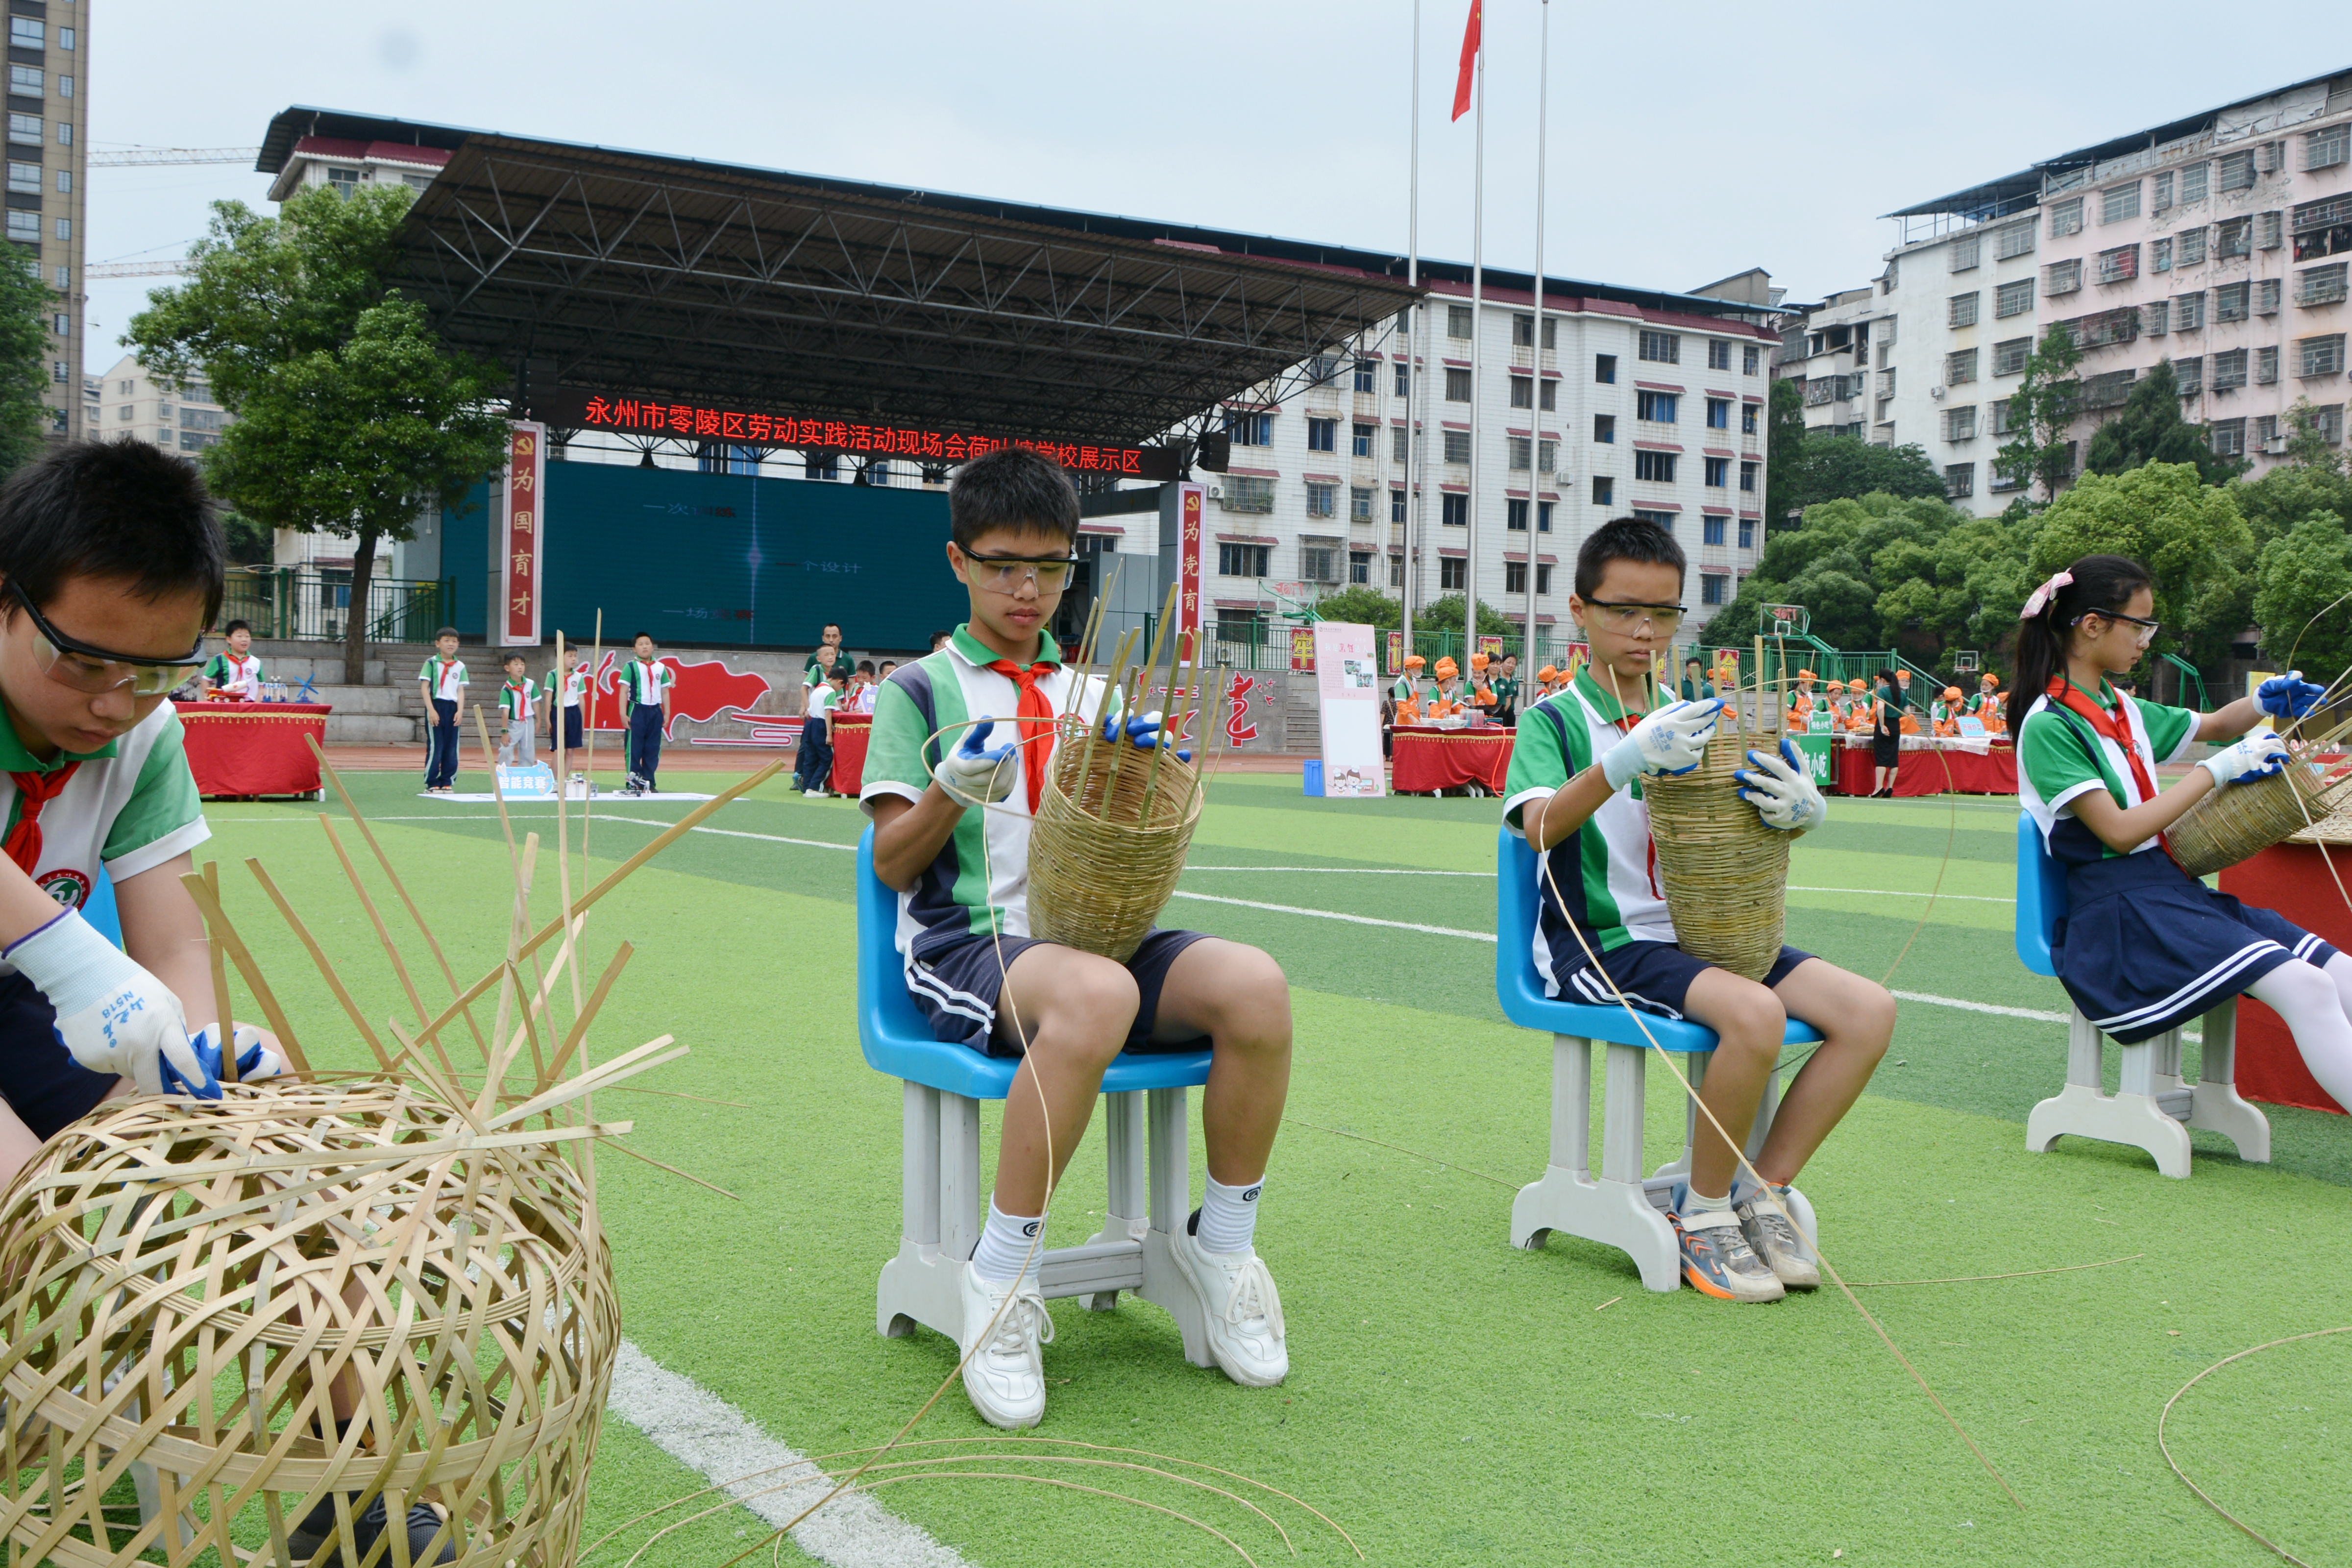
352	415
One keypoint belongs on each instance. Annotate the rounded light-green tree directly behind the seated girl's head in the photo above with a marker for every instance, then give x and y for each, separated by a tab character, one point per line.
2189	535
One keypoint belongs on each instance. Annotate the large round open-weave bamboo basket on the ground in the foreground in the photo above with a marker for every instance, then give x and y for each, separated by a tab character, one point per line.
187	1282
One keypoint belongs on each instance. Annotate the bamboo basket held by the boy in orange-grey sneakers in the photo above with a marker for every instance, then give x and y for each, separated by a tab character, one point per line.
1725	873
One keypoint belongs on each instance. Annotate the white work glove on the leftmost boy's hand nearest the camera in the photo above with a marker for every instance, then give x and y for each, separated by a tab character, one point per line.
112	1014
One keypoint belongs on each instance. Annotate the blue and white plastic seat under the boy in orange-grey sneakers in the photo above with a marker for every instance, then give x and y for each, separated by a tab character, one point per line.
1622	1209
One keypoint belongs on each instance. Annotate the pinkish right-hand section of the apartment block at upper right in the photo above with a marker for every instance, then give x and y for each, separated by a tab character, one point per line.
2221	246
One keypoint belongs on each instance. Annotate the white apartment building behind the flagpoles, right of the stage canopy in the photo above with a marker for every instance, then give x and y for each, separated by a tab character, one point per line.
1636	403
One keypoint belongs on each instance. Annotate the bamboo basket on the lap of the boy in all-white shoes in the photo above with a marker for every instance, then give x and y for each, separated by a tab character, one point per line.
1100	873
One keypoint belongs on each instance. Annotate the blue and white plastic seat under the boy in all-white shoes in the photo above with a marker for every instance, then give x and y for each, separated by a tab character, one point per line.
1151	1188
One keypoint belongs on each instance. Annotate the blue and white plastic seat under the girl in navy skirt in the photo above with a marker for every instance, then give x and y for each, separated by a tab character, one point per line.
2151	1108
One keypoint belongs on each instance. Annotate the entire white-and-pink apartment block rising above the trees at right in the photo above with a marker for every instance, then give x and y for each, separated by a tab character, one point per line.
2207	241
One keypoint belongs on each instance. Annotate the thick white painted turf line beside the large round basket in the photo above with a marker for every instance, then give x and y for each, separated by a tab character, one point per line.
716	1440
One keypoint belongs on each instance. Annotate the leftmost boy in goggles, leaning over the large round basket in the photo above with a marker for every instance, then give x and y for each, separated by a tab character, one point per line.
112	565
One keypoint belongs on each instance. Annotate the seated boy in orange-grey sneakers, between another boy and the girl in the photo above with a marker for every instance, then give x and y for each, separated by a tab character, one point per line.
1605	932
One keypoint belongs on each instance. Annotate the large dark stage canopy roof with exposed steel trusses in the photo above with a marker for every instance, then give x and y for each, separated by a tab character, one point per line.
768	290
